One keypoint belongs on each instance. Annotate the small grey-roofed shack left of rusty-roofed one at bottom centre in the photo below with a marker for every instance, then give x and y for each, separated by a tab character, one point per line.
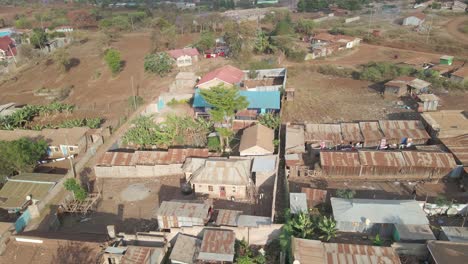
185	250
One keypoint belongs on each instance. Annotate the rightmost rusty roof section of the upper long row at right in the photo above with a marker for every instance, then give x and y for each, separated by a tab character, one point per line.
399	129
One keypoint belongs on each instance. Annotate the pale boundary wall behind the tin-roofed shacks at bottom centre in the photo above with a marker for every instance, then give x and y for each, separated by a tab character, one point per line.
261	235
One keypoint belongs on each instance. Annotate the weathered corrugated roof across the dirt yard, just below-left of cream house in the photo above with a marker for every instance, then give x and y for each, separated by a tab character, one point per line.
180	209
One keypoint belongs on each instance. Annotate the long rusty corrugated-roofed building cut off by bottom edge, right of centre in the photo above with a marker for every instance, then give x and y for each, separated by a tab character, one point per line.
305	251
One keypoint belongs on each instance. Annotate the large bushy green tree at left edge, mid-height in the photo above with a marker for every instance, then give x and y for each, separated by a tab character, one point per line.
20	155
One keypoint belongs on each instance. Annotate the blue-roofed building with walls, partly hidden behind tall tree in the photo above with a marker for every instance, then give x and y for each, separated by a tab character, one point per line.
261	102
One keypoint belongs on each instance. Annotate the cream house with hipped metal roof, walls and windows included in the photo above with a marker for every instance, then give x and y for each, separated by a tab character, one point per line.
223	178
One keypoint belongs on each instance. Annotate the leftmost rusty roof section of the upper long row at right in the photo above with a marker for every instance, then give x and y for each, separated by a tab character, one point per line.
323	133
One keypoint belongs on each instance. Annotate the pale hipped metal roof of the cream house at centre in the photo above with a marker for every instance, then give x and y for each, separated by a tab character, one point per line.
226	172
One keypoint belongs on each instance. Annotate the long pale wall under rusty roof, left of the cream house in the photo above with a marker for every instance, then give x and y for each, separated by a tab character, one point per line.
139	171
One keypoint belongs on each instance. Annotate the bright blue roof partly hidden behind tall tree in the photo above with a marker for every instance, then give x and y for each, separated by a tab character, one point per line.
257	99
